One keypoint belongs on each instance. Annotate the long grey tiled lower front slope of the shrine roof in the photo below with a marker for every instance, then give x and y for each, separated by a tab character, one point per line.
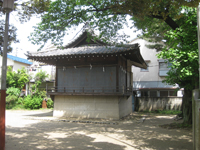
84	50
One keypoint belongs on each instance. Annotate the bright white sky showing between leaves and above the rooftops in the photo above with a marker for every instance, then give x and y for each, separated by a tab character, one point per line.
24	30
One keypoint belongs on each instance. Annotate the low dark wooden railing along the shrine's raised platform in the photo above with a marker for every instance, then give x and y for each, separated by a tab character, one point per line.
89	90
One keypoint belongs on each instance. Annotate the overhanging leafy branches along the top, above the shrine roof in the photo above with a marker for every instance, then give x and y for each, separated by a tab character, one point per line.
105	16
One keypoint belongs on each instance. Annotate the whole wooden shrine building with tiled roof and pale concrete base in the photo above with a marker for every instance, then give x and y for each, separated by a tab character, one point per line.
93	80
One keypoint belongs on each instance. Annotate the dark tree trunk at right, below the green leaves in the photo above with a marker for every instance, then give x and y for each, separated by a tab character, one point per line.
187	106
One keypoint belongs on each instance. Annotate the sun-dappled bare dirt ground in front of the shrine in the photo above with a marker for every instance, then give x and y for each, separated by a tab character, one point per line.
34	130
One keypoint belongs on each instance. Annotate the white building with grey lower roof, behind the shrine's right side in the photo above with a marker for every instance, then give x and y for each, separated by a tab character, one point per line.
148	82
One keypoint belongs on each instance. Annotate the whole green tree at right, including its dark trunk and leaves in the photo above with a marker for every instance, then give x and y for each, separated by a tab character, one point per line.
179	46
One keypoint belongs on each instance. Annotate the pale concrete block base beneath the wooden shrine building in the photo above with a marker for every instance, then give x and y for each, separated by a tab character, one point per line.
107	107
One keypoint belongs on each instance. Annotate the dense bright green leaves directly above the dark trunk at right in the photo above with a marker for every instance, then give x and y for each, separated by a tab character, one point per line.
182	52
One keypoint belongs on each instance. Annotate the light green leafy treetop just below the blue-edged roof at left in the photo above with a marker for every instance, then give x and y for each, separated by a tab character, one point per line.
17	79
